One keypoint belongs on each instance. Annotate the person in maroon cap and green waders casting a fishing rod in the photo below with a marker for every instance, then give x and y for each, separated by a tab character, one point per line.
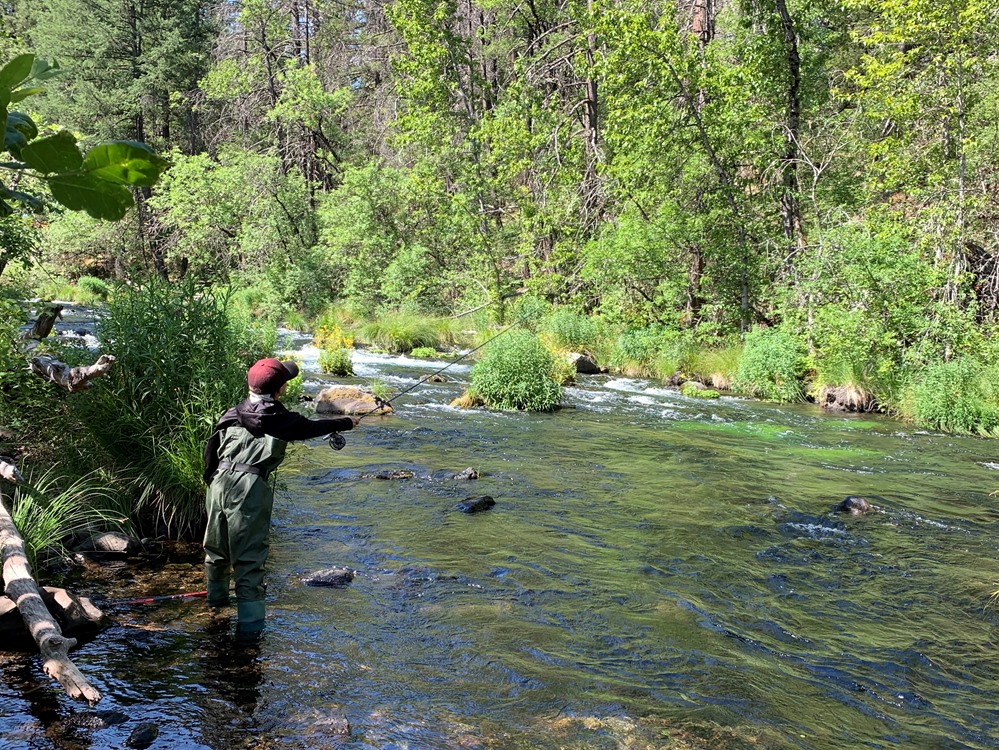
247	446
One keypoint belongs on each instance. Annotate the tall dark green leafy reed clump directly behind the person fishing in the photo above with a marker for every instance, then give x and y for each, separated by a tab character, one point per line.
181	359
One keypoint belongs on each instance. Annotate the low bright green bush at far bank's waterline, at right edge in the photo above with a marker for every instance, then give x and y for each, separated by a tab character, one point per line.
958	396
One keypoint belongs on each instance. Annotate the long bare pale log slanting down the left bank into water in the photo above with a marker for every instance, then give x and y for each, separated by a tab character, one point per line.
21	588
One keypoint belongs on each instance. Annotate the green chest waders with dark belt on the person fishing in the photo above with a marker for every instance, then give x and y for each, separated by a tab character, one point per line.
239	503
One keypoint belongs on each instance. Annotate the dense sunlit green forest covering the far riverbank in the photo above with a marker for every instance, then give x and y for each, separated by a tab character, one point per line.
693	170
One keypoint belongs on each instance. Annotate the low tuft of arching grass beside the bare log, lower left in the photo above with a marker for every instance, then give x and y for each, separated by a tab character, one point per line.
52	508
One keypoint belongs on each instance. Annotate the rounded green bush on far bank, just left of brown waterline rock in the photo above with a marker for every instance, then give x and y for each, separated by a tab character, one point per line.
771	365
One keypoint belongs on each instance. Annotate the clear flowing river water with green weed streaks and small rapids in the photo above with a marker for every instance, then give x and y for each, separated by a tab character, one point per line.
656	570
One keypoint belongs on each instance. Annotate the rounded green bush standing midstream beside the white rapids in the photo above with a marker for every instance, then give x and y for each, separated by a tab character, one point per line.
517	373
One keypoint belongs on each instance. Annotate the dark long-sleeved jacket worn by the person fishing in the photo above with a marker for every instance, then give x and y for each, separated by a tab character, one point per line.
268	417
